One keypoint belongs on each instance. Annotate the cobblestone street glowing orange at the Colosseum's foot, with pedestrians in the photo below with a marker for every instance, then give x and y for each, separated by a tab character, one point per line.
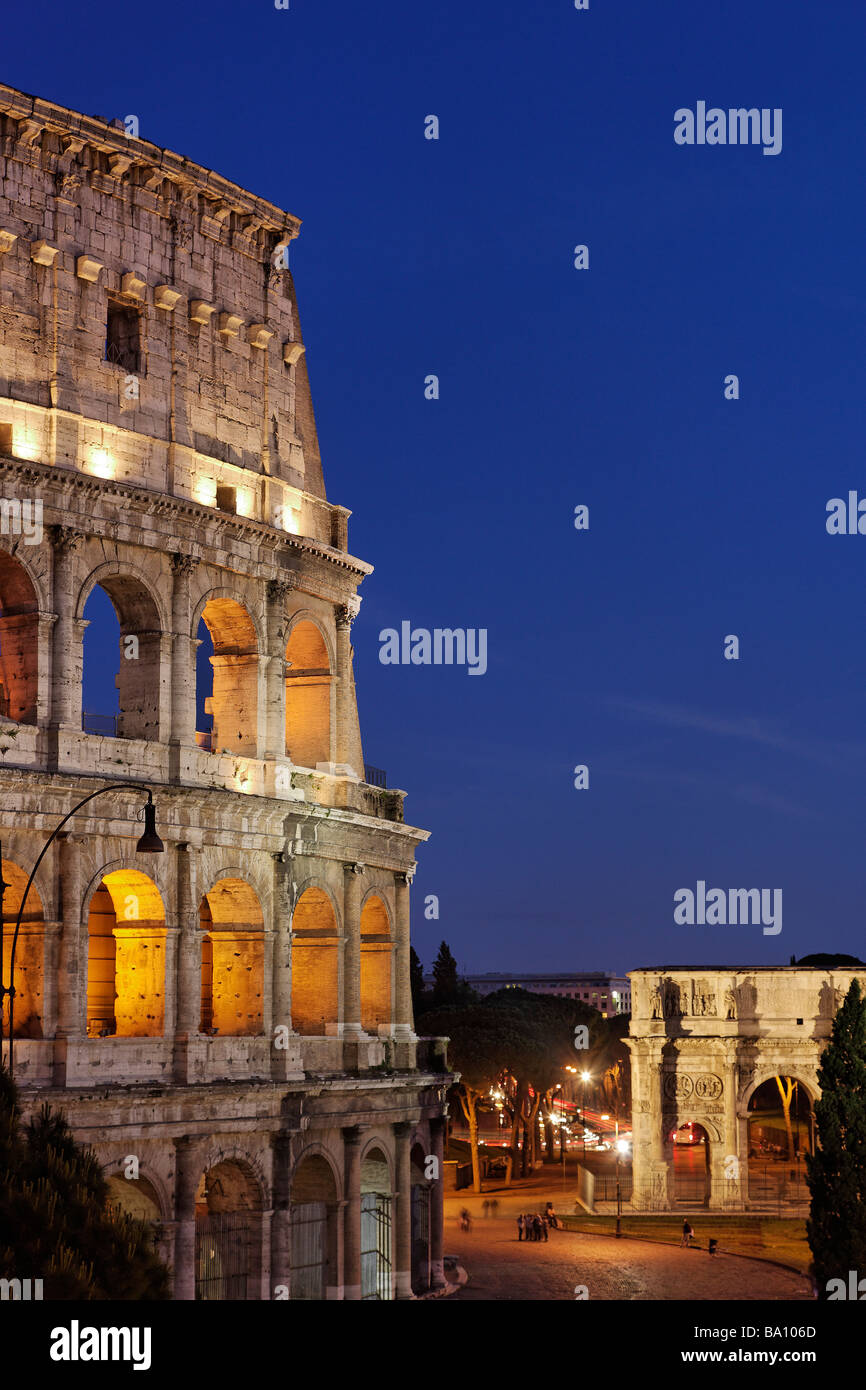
501	1268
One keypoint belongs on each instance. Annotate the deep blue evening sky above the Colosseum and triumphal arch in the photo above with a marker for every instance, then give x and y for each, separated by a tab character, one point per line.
564	387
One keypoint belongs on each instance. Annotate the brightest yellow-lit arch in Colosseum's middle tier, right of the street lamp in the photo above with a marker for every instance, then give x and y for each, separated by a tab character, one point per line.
126	957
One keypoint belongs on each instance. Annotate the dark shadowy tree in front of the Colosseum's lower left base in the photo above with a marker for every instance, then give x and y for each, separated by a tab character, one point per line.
56	1223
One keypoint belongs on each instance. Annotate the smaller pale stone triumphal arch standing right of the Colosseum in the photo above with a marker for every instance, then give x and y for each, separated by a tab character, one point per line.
703	1040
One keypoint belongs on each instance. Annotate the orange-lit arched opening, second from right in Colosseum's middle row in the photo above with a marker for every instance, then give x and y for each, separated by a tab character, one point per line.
315	964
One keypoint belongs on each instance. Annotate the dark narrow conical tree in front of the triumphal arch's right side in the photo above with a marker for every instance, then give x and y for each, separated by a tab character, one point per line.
838	1171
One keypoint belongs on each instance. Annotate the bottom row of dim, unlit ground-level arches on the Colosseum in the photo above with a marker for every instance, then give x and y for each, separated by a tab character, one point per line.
230	1207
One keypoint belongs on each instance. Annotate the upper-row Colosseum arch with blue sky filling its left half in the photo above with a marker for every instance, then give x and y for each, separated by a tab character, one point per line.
122	693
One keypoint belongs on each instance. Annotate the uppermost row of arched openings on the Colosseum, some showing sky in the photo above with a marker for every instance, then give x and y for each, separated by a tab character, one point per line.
126	665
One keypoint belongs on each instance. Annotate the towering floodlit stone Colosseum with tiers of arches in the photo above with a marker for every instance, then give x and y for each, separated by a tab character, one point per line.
212	971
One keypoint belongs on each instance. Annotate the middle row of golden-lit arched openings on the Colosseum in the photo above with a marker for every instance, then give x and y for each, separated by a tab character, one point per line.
127	946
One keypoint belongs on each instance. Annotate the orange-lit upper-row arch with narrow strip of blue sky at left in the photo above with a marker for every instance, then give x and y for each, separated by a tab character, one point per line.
227	679
